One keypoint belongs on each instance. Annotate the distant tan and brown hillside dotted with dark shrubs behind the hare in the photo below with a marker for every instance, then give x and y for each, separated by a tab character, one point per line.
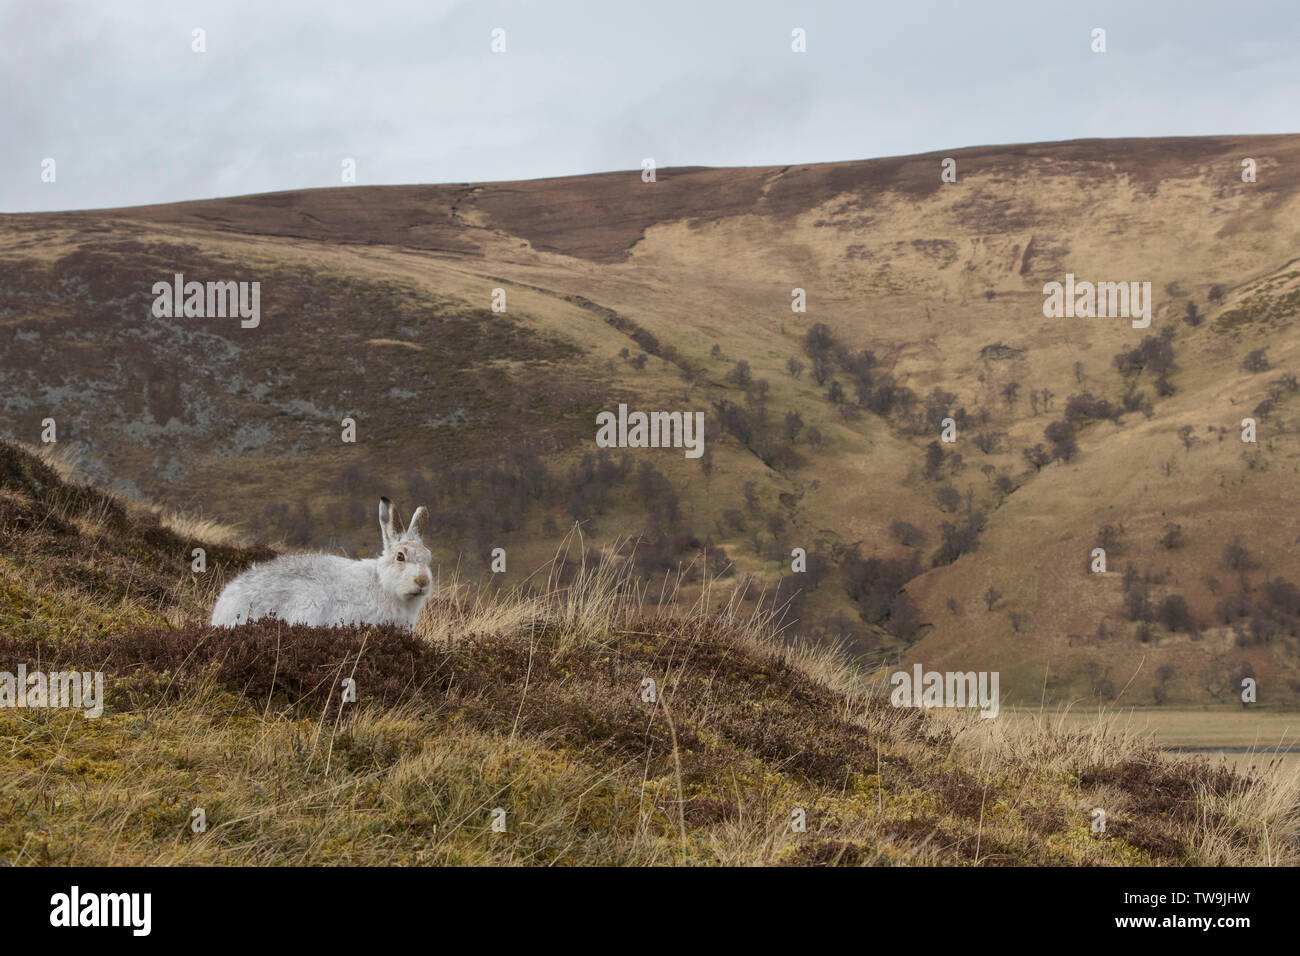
925	301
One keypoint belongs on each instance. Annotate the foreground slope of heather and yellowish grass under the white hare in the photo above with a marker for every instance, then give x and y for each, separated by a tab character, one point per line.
534	704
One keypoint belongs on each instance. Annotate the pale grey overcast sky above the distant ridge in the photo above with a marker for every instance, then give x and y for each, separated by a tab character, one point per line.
288	89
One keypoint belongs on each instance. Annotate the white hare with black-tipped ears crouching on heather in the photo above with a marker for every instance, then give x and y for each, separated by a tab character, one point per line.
326	591
